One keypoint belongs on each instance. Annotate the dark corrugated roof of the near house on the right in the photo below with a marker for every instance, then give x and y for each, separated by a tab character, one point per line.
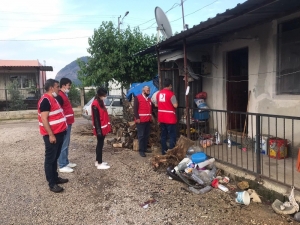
243	15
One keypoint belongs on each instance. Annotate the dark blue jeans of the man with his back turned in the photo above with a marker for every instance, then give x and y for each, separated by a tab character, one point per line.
167	129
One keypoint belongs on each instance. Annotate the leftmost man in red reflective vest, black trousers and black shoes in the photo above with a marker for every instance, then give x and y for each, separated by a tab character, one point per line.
53	126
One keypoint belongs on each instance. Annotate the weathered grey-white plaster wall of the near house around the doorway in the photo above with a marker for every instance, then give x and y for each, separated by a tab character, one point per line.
261	41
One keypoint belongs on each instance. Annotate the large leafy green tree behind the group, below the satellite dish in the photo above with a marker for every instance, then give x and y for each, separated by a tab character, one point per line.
112	57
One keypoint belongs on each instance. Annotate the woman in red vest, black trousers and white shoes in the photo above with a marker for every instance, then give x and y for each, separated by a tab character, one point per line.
101	126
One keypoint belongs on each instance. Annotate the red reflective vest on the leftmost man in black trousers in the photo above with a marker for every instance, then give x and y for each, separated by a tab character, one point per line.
56	118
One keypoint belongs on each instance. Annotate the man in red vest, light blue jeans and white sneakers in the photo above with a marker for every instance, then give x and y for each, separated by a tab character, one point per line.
63	161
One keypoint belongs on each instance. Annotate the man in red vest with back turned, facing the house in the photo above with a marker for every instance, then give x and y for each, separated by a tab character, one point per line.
167	104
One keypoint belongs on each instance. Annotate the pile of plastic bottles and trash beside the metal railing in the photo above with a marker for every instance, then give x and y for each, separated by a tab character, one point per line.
200	173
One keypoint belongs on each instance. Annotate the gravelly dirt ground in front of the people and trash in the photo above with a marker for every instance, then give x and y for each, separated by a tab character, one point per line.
109	196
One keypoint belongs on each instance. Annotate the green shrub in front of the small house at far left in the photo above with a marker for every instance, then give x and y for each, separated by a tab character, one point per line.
16	98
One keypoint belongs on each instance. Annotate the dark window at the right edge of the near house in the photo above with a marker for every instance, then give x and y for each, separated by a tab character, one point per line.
288	75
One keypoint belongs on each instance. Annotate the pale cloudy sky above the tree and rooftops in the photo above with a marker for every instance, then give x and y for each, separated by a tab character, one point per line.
57	31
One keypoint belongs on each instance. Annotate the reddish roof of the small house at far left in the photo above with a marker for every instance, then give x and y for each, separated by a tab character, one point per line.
24	63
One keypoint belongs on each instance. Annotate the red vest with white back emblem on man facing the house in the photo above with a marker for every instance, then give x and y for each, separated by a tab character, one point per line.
166	110
